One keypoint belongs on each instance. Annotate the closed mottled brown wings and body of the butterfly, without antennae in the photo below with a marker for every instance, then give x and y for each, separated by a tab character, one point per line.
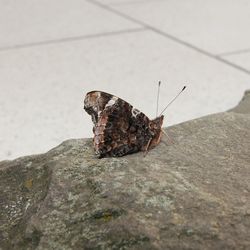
119	128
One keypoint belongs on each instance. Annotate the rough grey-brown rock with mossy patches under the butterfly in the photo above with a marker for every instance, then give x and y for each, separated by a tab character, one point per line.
189	194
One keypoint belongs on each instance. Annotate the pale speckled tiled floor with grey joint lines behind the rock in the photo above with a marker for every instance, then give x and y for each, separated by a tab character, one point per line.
51	55
